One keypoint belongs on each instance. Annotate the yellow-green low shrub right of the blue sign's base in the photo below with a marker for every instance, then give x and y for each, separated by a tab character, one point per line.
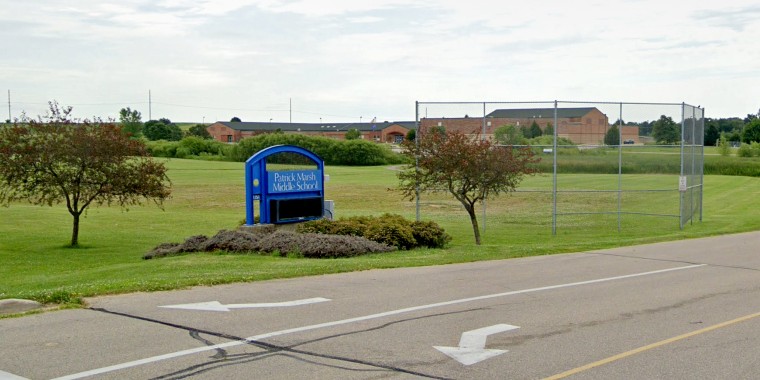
388	229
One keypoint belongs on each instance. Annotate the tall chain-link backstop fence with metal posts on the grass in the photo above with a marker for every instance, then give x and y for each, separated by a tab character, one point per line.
633	167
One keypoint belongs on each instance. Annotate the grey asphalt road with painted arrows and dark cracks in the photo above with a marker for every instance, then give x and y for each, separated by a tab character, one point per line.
687	309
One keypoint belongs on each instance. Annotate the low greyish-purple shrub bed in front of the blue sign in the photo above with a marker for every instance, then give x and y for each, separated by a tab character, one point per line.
270	241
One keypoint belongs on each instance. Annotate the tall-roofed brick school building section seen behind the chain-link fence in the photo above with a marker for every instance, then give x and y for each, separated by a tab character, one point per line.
585	126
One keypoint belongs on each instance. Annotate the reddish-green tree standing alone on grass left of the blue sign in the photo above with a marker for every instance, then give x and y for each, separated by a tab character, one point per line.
77	162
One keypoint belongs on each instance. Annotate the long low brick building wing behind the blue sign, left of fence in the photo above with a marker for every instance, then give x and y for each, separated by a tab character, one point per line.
387	132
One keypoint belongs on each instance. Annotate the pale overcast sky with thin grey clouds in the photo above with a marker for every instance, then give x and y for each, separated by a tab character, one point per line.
352	60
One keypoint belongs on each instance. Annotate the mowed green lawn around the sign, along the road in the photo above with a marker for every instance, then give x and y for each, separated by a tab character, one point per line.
208	196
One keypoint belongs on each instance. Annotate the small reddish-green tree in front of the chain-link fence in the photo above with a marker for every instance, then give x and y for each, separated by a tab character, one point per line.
470	169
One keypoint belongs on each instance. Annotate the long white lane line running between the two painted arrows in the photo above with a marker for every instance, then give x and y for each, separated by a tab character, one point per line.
171	355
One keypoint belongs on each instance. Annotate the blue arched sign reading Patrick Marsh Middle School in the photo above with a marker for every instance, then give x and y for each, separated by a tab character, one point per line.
284	196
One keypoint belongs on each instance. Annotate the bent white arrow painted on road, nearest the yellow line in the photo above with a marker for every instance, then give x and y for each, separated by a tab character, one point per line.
472	345
